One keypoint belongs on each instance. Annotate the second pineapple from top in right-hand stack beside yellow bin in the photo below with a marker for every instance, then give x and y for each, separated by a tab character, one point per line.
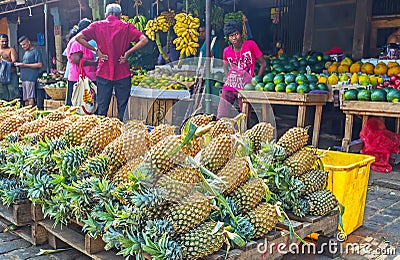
300	162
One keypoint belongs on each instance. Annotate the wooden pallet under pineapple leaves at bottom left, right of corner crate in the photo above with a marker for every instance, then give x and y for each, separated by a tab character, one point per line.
72	236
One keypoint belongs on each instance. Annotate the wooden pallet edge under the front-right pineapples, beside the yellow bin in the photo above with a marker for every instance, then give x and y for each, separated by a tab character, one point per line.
326	225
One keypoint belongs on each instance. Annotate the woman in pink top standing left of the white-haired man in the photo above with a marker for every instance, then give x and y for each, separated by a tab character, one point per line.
75	53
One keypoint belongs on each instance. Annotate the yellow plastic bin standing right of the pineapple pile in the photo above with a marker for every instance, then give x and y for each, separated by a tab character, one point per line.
348	180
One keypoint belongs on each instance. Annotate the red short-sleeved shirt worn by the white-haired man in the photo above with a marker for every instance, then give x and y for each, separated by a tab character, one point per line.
113	38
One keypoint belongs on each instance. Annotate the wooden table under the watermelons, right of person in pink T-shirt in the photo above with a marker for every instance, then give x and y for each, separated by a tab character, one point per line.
291	99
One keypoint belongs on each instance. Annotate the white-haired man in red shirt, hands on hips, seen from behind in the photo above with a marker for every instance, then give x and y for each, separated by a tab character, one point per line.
113	38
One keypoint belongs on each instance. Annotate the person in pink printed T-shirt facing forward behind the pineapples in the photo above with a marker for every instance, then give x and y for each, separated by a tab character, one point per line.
239	62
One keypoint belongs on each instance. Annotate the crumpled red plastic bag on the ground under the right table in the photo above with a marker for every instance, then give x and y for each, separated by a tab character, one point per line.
379	142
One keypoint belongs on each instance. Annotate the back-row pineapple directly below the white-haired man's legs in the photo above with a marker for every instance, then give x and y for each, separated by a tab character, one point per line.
101	135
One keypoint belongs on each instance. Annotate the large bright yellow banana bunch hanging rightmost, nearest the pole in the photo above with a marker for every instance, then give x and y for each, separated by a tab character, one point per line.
187	34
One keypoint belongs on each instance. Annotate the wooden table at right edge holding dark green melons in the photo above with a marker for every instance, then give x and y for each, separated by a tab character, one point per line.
366	109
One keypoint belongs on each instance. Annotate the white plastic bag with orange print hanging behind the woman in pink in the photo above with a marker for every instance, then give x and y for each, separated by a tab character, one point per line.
84	95
